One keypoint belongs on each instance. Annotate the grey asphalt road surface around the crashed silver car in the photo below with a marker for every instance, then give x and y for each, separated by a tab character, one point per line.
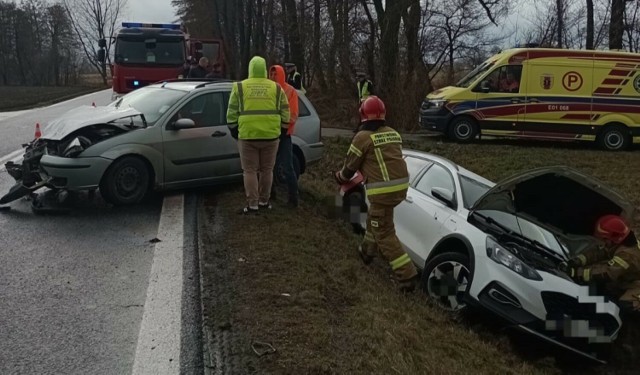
74	288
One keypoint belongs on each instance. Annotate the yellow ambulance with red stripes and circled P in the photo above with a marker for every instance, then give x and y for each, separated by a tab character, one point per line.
543	93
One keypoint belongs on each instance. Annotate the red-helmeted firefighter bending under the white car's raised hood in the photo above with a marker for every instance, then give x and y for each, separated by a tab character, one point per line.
614	265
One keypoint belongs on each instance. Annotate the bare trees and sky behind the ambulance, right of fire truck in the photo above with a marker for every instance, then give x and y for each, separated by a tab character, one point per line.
407	47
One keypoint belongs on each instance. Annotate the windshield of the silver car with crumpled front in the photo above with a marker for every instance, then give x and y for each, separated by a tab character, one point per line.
153	102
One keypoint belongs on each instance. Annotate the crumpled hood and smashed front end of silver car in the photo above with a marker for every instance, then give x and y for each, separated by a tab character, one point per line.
67	136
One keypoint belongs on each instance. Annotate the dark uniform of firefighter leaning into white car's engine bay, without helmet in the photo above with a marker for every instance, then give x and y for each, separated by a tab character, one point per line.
617	268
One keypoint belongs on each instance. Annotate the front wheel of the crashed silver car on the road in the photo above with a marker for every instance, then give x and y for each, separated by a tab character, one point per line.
126	182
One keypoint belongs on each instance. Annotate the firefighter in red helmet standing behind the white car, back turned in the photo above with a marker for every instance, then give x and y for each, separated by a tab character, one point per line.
376	151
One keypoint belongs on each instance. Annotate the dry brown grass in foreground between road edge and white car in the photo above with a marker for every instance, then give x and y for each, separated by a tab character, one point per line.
339	316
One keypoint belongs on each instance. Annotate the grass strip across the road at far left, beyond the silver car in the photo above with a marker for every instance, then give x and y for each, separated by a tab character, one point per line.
14	98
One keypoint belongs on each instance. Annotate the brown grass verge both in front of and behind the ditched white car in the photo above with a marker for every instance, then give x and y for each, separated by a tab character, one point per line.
294	280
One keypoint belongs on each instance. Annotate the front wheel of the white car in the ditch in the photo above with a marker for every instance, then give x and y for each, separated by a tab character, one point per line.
451	270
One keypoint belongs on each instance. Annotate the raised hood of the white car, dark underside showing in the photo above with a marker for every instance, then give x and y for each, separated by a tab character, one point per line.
557	198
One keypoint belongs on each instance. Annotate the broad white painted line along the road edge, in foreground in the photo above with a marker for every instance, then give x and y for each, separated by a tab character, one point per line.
158	349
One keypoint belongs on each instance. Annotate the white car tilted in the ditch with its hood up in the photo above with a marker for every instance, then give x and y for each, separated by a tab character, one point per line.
500	246
